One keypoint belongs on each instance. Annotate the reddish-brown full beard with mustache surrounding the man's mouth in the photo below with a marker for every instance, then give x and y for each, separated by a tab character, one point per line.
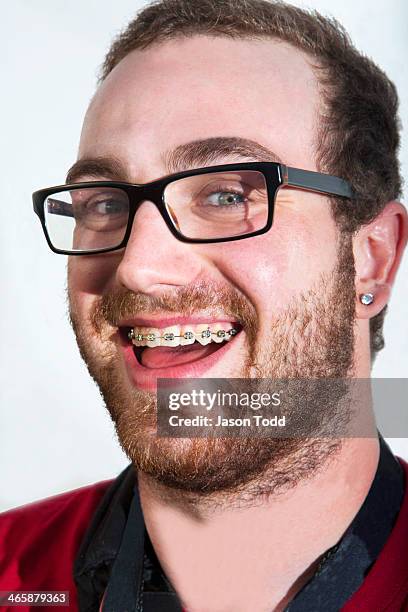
312	338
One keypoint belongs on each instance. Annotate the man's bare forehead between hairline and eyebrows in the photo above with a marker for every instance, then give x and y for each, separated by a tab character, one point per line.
201	87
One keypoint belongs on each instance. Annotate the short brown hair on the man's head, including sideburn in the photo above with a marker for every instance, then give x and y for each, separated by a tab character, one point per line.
358	136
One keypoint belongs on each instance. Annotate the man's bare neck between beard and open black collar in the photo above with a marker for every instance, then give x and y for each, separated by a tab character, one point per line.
259	555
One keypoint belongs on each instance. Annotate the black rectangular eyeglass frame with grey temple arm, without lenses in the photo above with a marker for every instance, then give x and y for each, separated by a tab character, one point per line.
276	175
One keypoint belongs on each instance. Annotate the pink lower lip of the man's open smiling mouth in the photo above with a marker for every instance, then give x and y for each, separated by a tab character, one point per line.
145	379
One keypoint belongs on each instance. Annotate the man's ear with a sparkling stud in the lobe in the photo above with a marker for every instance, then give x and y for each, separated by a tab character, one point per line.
378	248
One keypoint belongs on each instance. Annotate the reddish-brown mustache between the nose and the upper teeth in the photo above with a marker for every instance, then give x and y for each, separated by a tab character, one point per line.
215	299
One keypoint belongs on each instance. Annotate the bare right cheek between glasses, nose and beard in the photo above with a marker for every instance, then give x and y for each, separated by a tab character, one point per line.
273	269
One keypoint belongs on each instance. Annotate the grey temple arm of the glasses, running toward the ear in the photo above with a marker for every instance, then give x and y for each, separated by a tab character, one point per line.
315	181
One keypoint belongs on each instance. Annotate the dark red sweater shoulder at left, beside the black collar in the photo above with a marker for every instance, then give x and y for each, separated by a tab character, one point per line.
38	541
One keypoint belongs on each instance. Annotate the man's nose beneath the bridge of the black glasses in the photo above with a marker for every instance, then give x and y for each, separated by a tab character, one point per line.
154	260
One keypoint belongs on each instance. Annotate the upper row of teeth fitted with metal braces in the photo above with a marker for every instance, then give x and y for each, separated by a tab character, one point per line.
180	335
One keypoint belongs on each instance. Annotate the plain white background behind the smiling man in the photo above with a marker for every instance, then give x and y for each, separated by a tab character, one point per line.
55	434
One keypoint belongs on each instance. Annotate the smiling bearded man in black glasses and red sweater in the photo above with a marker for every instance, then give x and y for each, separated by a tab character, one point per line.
167	250
